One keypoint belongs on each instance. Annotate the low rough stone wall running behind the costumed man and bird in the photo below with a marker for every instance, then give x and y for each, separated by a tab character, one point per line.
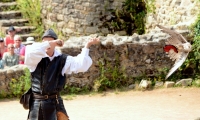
135	55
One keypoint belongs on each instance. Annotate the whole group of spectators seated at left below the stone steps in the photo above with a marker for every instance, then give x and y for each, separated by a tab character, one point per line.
12	50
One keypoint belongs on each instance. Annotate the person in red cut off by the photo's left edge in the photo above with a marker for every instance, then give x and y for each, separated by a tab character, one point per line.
2	50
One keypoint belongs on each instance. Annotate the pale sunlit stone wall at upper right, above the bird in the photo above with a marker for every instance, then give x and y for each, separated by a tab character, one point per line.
177	13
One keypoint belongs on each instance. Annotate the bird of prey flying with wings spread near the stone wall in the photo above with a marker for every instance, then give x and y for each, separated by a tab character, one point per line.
177	48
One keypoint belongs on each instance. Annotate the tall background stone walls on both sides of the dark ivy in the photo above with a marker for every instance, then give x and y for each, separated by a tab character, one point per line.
82	17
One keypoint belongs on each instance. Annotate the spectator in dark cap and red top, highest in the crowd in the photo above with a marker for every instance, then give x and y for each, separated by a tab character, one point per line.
10	37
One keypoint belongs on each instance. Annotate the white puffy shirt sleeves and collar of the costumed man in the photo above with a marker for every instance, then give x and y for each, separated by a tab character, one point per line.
35	52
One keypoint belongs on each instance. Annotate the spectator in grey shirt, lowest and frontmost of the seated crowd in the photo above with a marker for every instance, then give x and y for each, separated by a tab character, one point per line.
10	58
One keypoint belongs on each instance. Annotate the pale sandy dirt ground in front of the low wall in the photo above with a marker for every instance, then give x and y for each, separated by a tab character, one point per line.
159	104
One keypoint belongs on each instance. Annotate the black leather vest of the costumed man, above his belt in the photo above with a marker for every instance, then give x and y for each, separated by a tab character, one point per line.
47	78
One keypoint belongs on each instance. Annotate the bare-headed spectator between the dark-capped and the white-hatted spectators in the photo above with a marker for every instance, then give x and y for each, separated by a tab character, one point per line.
18	44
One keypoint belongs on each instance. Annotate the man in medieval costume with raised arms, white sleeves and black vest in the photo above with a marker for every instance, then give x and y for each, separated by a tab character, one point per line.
48	69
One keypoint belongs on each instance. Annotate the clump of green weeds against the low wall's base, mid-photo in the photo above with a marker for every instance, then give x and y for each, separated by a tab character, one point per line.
111	75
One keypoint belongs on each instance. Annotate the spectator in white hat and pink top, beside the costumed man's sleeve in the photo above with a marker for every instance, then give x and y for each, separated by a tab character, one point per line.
29	41
